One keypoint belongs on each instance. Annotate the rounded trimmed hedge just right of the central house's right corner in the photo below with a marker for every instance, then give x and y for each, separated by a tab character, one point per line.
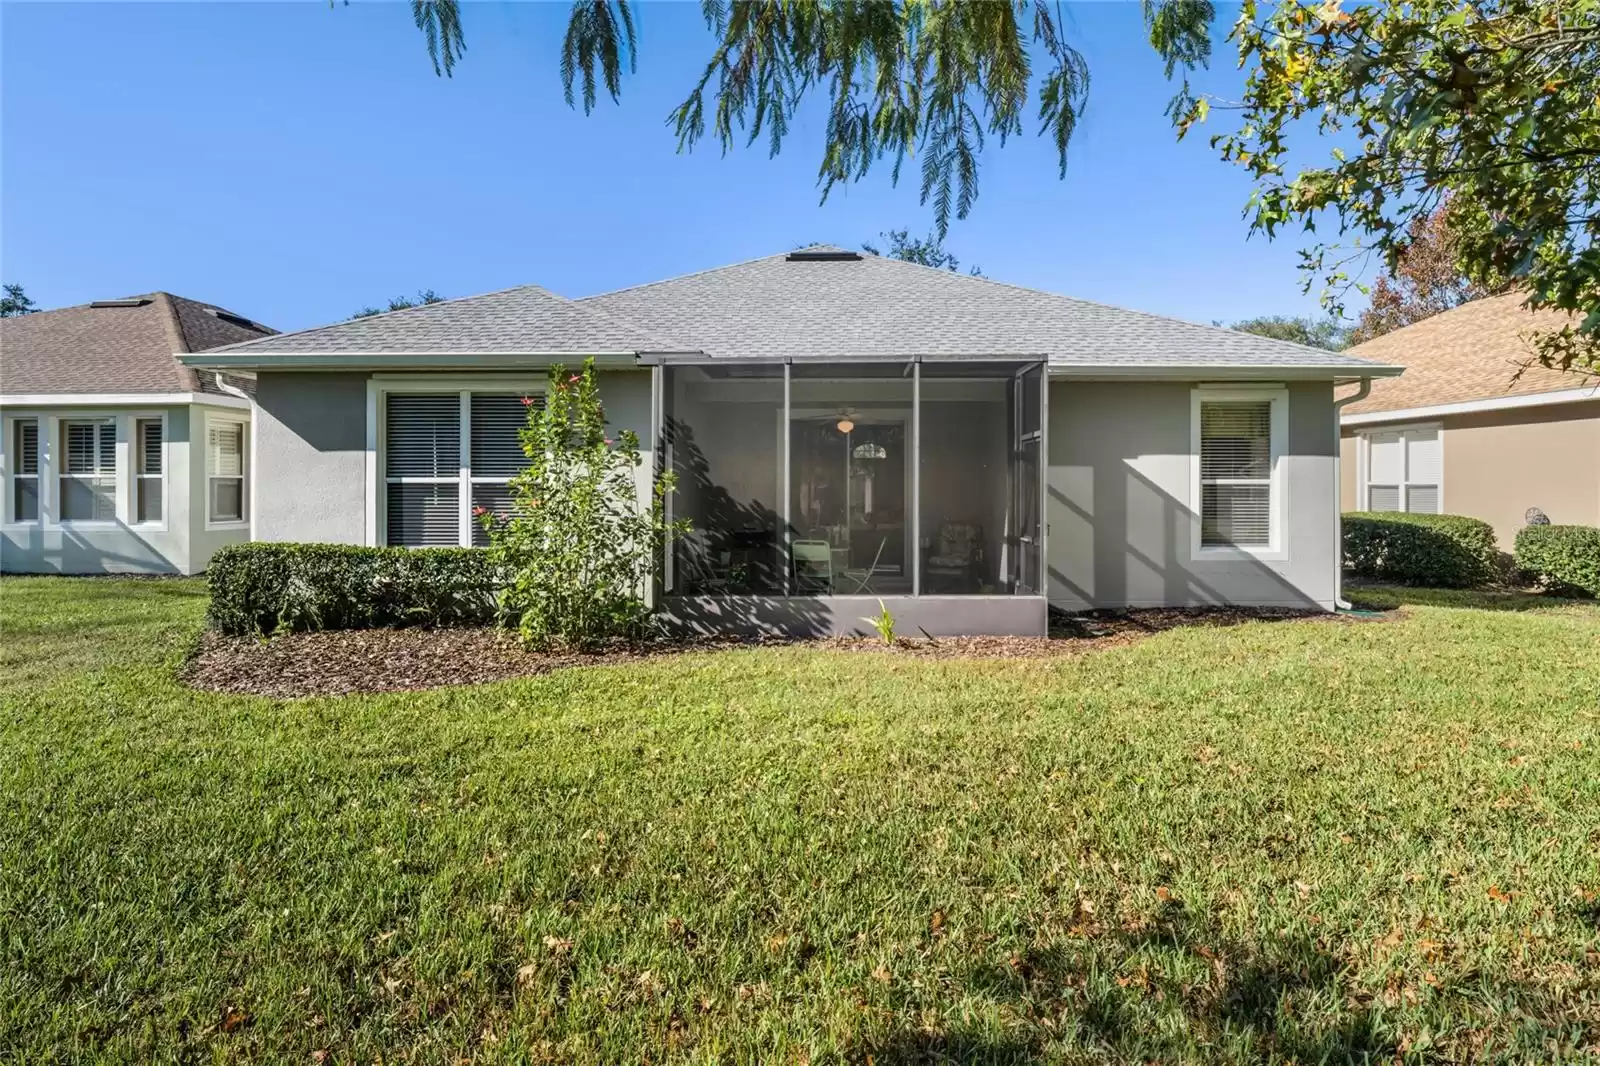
1447	551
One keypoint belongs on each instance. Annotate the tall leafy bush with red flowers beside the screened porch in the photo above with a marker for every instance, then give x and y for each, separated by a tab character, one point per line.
580	547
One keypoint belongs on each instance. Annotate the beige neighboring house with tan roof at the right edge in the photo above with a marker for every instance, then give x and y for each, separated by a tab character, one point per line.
1455	435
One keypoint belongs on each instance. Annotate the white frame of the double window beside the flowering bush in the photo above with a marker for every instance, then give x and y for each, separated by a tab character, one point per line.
378	391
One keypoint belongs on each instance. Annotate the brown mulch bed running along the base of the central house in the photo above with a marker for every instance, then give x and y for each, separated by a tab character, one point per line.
406	660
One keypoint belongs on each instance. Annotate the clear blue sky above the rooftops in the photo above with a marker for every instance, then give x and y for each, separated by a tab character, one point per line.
295	162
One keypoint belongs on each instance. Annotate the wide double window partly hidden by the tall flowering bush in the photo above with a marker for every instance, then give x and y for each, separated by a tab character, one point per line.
431	489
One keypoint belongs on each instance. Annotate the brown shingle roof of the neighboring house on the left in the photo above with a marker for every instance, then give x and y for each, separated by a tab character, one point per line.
116	347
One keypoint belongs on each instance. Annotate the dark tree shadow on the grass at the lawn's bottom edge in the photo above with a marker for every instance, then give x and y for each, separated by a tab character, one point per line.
1135	995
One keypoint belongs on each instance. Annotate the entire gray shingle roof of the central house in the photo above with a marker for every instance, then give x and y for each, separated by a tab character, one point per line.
817	303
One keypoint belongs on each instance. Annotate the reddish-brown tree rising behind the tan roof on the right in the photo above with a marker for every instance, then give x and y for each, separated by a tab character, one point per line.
1423	283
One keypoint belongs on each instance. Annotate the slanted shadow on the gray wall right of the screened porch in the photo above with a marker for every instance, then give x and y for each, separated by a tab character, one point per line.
1135	575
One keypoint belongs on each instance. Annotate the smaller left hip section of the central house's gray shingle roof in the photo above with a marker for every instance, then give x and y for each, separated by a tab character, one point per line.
524	319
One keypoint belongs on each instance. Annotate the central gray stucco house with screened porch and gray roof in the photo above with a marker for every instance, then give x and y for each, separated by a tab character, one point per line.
844	430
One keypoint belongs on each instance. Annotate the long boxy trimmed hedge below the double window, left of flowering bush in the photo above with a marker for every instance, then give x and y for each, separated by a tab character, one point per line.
266	588
